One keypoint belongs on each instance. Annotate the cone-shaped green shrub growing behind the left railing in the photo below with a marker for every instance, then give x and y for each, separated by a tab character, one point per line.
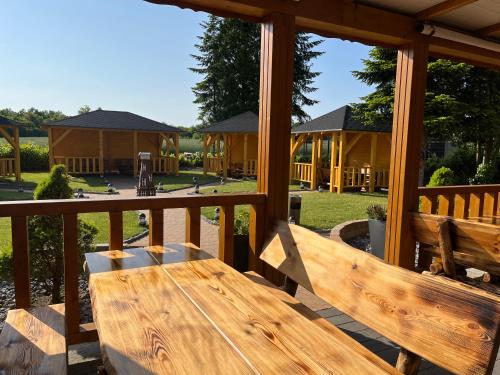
46	237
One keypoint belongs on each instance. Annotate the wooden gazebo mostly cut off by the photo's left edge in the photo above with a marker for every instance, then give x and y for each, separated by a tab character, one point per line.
11	166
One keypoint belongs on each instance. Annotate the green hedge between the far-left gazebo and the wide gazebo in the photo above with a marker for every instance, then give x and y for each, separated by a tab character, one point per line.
34	158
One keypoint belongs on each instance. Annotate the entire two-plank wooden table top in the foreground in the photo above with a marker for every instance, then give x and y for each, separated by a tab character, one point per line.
175	309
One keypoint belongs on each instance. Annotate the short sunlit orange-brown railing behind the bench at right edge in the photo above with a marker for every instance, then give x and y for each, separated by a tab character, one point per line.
478	202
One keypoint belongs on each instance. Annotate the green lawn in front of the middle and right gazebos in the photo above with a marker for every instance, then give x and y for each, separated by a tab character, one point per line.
319	210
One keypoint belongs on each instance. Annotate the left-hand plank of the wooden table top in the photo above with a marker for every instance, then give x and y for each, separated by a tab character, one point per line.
147	325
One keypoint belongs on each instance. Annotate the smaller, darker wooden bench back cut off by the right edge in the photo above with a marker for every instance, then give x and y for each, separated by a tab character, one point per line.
464	242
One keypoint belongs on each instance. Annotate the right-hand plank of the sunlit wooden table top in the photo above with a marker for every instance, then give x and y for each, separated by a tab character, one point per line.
274	337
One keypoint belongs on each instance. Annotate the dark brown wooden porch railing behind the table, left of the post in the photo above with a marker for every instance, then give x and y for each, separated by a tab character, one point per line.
19	211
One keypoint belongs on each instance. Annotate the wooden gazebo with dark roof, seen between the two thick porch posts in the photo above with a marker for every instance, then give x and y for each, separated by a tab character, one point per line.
359	154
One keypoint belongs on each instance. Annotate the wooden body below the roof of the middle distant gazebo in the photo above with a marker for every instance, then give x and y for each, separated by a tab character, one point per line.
235	154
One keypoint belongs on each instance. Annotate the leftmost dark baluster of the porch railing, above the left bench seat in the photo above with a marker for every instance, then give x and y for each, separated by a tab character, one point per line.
20	247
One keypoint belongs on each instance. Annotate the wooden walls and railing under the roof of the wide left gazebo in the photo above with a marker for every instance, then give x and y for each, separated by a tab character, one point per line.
100	151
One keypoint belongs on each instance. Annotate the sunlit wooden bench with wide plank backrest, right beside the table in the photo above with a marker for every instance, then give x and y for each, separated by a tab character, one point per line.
446	322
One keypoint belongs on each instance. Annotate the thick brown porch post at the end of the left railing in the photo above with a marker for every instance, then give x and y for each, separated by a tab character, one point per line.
275	113
